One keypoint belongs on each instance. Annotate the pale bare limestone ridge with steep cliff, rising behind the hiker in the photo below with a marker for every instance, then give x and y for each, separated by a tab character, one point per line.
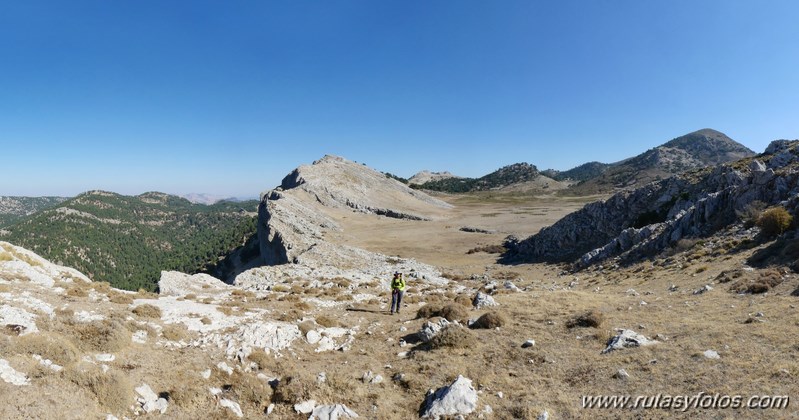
296	221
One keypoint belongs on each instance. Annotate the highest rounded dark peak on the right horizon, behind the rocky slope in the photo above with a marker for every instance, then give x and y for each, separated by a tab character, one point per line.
692	151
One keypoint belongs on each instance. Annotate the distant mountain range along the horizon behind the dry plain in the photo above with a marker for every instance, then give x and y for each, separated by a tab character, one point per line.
696	150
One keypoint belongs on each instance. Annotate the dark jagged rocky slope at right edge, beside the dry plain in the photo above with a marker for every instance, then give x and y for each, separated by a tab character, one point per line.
634	224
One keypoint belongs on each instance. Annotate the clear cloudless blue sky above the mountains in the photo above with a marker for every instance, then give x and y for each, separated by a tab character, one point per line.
226	97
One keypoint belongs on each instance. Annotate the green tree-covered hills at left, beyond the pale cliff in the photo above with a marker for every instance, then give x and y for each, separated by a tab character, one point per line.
128	240
